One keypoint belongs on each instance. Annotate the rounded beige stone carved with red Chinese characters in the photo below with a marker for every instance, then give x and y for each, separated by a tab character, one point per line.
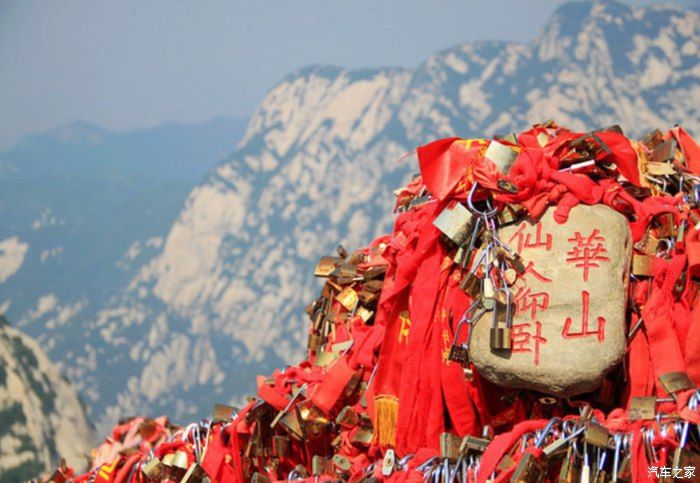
569	324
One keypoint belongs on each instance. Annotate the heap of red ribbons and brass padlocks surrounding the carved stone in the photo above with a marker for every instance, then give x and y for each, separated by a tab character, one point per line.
389	390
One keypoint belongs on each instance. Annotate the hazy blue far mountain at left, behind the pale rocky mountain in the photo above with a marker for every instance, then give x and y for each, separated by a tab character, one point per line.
81	208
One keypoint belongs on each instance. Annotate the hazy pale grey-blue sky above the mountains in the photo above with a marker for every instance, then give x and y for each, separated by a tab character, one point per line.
131	64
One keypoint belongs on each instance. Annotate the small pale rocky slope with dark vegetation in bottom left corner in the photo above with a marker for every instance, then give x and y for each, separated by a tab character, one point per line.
41	417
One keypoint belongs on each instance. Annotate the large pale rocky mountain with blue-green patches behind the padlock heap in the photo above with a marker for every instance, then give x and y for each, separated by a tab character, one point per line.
222	298
